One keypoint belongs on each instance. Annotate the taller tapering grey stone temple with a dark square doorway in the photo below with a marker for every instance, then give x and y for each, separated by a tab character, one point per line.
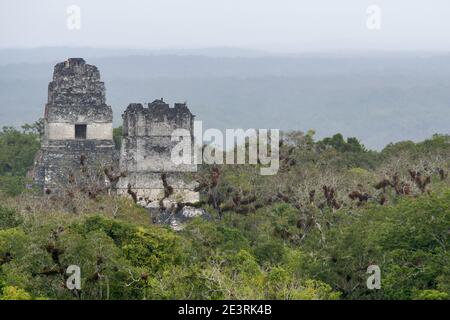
77	125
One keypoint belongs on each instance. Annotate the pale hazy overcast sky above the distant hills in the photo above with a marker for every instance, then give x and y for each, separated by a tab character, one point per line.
279	25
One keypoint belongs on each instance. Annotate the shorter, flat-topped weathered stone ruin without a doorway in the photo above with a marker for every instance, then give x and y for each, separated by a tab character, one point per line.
146	152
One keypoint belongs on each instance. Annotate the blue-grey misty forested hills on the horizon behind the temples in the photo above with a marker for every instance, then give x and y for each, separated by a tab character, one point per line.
378	98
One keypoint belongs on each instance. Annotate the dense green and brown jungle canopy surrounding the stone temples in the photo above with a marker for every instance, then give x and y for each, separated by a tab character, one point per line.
309	232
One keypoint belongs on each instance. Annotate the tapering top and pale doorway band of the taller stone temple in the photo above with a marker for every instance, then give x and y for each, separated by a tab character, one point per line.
77	96
